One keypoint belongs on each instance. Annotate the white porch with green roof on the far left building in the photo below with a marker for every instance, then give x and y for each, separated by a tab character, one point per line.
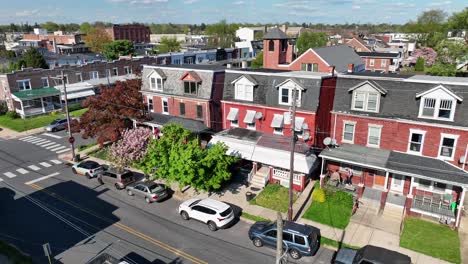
36	101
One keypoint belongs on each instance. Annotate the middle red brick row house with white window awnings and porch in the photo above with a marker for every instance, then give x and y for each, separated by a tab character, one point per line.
257	121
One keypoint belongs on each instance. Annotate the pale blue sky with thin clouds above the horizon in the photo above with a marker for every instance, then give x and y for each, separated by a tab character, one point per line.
210	11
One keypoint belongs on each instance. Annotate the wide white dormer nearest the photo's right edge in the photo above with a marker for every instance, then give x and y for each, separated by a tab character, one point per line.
438	103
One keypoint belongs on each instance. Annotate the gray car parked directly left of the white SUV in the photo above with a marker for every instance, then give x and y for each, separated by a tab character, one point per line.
150	191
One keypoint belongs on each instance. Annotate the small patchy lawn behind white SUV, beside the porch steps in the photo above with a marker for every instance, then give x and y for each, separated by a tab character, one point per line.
275	197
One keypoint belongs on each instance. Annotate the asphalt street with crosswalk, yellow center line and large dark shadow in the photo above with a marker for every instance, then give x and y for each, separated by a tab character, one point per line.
42	201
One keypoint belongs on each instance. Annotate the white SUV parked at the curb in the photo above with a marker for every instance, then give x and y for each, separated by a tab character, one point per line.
214	213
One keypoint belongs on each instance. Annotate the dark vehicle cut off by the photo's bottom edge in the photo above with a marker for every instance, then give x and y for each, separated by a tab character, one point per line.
370	254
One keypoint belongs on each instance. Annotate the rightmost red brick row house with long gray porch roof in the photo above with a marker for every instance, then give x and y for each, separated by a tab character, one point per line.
405	140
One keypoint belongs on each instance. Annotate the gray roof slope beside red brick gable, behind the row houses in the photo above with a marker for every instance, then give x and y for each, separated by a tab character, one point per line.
339	56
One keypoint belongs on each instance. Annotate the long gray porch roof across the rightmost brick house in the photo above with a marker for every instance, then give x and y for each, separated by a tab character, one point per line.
397	162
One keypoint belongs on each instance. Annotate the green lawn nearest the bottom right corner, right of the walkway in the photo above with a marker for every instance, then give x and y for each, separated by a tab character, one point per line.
432	239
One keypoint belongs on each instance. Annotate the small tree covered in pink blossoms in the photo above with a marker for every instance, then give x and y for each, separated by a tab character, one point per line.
131	148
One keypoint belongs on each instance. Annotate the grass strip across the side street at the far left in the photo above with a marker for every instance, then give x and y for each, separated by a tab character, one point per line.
20	125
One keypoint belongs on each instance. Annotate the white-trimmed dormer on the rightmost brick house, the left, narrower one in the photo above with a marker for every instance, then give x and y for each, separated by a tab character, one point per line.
366	97
